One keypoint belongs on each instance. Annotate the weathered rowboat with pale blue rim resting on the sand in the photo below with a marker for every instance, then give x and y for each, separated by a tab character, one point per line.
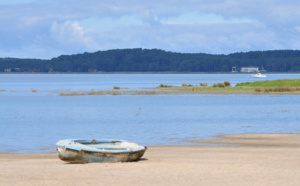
88	151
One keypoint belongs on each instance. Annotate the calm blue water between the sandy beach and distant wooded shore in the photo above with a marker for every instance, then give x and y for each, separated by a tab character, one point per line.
34	121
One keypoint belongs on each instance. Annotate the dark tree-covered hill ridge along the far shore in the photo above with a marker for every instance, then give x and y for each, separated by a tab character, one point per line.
154	60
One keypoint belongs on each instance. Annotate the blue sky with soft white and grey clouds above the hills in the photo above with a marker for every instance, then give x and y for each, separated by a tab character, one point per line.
49	28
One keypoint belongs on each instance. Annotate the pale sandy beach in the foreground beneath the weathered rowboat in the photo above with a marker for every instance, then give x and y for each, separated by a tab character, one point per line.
252	159
